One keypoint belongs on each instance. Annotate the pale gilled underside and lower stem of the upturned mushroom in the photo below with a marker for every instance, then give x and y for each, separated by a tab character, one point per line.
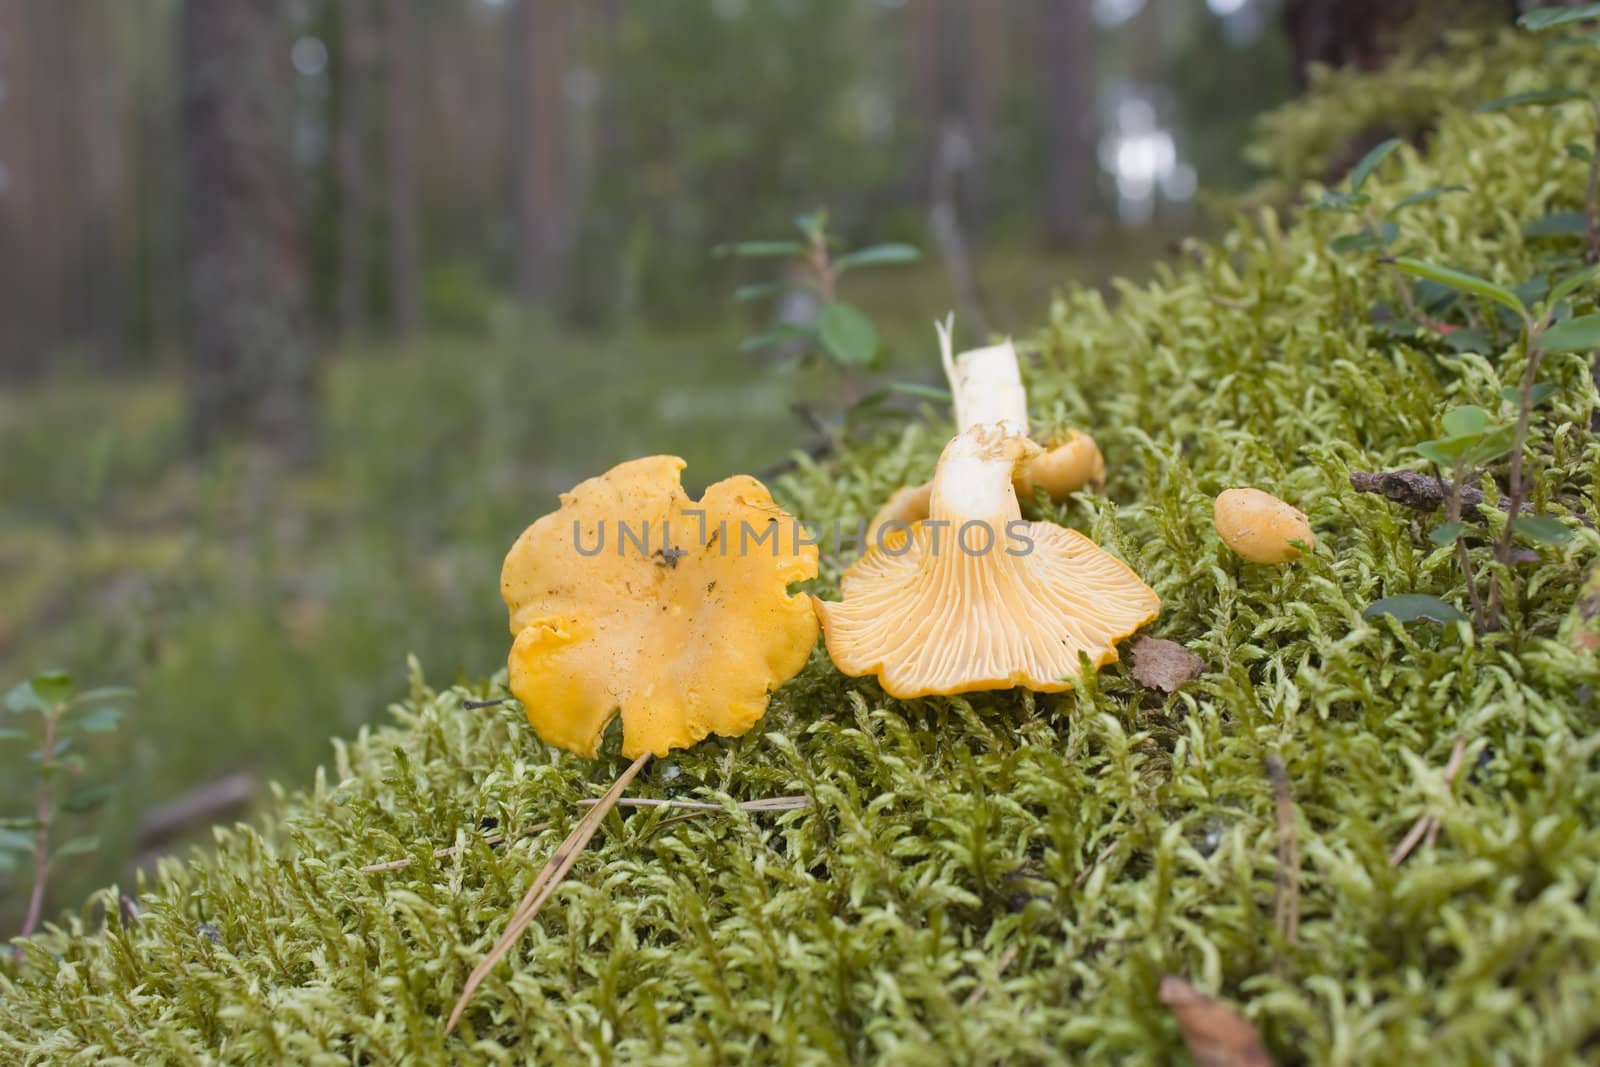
980	599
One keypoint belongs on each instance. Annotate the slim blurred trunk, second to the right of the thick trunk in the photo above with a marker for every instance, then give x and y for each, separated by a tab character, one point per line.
401	122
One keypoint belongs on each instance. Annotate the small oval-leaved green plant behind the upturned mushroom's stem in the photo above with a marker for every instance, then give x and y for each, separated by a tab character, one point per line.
841	332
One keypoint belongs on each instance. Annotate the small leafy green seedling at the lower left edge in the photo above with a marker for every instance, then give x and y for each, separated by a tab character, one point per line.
49	717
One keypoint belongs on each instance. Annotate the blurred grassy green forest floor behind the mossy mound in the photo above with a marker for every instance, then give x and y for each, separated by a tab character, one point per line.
257	617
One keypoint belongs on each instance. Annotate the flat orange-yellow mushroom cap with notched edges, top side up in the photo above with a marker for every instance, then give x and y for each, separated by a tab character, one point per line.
681	621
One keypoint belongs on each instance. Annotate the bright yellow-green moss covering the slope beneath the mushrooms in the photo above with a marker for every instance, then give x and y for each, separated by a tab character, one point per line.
1006	877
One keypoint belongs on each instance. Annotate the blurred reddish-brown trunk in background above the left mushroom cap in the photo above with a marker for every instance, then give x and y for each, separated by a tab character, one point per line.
540	108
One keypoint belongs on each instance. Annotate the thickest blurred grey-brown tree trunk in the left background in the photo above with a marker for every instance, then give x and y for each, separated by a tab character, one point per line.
250	354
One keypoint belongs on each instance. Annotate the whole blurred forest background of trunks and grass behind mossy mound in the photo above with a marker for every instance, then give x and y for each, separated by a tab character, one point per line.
310	306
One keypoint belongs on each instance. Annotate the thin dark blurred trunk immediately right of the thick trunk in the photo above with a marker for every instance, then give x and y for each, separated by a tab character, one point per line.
351	161
